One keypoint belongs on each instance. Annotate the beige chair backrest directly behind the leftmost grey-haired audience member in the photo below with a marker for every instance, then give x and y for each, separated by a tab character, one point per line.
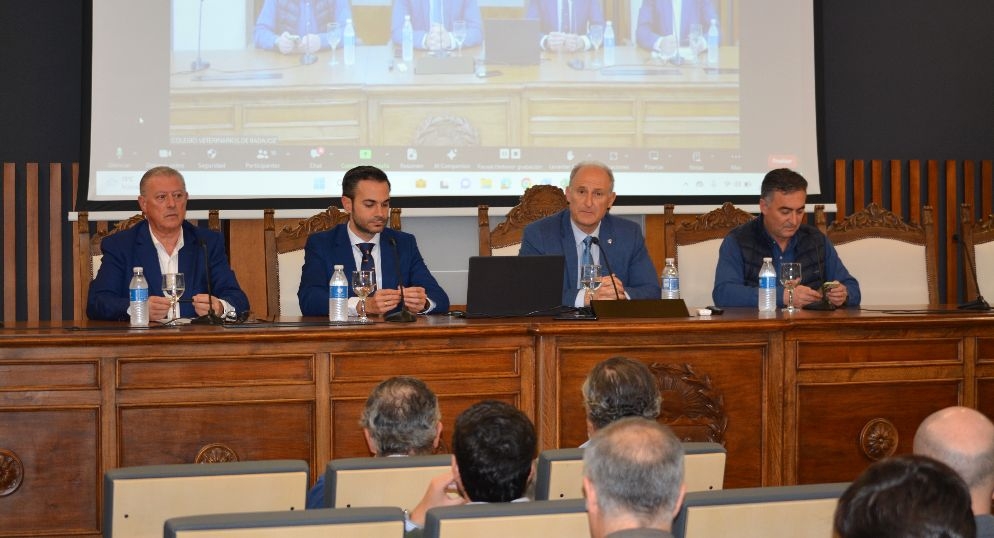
398	481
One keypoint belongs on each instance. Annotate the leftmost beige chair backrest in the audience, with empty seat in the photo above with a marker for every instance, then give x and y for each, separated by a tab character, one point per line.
138	500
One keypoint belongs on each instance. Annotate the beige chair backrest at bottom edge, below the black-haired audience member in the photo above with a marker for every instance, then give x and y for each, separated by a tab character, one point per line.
504	520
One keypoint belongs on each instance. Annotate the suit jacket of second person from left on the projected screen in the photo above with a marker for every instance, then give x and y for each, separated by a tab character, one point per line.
452	10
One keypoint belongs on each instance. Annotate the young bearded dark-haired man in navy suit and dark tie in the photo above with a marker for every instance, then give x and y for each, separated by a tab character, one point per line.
366	197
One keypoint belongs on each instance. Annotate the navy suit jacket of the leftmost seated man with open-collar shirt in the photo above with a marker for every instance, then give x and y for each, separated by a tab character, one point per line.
108	296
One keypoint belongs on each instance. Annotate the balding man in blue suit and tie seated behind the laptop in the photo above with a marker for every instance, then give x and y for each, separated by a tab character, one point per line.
590	195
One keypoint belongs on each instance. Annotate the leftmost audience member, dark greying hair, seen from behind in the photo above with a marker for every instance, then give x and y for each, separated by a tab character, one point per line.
401	418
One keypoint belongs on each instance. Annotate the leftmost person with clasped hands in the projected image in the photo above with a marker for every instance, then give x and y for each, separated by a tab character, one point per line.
299	26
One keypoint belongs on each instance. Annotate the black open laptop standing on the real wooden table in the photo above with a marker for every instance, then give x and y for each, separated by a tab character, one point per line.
506	286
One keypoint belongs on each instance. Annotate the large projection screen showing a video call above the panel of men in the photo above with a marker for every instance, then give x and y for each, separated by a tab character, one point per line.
460	98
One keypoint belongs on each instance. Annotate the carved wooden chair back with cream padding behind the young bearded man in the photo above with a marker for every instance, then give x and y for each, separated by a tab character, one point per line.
284	253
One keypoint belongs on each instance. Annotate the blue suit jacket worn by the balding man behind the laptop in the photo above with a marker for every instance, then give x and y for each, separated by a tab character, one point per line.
621	242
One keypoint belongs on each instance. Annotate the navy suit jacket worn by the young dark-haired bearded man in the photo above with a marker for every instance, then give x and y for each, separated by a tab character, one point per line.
326	249
